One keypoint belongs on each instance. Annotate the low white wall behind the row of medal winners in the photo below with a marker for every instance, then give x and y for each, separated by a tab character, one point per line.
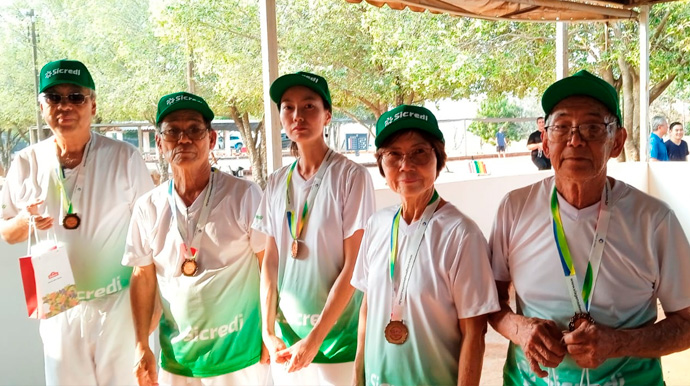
21	361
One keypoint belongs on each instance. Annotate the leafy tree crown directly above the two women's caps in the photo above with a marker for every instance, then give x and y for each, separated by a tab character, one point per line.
373	58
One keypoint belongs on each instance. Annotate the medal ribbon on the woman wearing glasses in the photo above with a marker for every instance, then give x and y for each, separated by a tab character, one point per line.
410	254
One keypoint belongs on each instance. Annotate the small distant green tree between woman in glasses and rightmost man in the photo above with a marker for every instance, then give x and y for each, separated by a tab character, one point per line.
501	107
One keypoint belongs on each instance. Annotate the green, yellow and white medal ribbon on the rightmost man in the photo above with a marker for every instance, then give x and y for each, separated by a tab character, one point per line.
582	301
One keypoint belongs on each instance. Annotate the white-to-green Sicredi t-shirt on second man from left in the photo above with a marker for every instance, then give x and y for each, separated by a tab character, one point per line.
211	322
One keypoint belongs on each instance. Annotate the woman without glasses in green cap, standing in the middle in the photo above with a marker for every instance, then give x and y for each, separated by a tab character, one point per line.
313	212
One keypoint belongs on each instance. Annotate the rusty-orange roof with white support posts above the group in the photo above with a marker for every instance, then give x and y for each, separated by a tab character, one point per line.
559	11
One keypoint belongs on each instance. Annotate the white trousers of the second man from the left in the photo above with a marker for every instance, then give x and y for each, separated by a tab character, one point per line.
254	375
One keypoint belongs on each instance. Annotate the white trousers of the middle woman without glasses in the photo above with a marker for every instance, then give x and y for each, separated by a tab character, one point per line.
335	374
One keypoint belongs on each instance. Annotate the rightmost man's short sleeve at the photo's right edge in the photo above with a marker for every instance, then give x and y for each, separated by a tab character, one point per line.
673	252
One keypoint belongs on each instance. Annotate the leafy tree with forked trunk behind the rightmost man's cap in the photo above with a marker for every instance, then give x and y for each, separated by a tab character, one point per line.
520	58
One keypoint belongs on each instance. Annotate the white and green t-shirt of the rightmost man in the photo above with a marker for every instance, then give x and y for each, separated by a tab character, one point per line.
646	257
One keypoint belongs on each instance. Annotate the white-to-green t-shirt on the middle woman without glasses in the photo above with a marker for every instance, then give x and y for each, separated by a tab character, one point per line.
344	202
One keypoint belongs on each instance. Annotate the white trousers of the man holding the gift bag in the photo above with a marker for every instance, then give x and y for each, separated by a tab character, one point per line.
91	344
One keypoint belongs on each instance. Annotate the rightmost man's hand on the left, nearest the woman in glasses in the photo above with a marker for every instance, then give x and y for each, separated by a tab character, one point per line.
541	341
